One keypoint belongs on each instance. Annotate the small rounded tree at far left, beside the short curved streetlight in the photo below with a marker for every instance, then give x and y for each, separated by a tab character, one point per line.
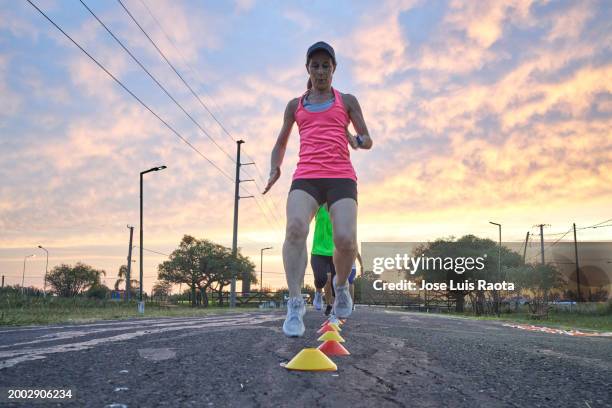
69	281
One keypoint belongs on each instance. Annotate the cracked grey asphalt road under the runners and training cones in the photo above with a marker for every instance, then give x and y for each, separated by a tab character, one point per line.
397	359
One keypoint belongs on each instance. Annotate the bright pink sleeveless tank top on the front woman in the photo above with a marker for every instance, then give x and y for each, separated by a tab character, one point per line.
324	151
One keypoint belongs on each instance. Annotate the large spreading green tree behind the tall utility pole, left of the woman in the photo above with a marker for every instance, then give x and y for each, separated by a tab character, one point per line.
201	263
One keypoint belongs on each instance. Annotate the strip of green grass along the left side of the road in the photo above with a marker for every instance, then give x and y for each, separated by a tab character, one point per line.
18	311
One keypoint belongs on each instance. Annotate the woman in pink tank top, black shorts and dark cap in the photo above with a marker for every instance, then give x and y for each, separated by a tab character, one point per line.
324	175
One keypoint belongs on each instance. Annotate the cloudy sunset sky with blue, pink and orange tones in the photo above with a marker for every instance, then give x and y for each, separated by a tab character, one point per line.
479	111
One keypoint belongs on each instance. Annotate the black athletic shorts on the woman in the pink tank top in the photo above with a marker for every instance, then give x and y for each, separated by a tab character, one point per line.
327	190
